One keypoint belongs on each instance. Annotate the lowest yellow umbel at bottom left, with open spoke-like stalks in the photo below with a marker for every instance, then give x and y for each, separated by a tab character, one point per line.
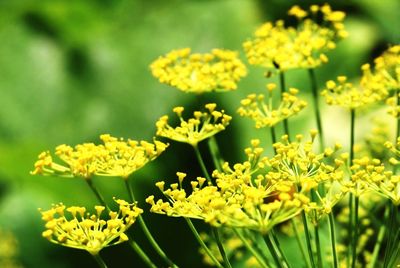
74	227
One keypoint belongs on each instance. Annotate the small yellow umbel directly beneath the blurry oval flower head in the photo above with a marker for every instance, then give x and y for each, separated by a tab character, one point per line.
202	126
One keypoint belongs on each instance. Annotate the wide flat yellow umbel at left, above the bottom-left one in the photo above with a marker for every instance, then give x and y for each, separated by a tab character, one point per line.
115	157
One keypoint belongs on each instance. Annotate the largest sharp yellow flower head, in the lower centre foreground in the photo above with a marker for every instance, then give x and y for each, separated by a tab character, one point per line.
241	197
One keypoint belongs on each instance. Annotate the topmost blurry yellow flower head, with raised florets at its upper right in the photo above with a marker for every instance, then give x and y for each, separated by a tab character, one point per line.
277	46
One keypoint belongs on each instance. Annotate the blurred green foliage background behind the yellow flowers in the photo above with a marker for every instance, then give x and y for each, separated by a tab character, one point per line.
72	70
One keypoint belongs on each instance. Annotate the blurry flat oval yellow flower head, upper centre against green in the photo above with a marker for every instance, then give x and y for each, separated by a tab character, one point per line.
219	70
